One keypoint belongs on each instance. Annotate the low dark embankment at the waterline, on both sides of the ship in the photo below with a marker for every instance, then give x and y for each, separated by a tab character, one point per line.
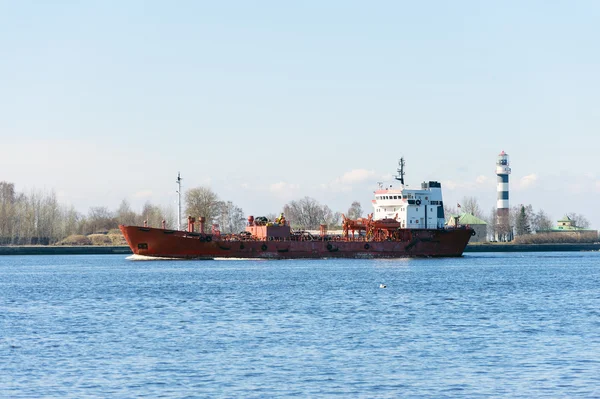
125	250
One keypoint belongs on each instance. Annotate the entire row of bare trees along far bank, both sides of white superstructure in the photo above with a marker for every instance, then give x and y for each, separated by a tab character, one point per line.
37	217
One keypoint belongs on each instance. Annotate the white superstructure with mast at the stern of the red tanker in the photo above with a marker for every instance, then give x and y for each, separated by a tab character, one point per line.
412	208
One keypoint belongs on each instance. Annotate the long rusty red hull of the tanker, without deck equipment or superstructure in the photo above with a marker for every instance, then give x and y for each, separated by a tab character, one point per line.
181	244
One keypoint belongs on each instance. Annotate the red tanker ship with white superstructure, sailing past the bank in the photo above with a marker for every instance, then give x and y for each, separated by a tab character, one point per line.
405	222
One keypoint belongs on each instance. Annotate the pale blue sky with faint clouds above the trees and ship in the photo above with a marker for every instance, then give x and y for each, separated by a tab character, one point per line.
271	101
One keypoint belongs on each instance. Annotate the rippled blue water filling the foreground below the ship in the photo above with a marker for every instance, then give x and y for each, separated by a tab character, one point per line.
485	325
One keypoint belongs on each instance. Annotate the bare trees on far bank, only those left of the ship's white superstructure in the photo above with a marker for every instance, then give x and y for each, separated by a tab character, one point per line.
37	217
